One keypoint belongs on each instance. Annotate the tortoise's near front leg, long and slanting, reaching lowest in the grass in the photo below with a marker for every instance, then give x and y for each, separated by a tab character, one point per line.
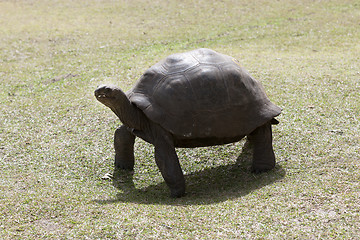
168	163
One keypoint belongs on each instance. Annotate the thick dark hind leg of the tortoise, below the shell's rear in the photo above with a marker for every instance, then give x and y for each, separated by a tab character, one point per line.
263	156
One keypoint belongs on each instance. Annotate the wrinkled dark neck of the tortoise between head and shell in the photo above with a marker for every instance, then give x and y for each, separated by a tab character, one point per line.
127	112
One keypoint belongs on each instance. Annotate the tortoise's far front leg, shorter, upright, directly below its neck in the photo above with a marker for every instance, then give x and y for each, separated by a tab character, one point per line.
124	148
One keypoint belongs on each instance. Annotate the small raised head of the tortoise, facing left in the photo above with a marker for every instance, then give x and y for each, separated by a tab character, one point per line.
108	95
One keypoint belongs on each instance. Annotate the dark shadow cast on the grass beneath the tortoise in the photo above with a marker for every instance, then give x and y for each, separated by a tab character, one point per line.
203	187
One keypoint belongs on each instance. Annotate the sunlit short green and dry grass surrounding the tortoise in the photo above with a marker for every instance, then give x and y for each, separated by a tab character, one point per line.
56	139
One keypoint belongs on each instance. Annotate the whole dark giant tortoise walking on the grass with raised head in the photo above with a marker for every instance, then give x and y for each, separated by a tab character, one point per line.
192	99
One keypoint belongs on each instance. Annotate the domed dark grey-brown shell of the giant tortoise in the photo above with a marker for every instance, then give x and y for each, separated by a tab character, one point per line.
201	94
